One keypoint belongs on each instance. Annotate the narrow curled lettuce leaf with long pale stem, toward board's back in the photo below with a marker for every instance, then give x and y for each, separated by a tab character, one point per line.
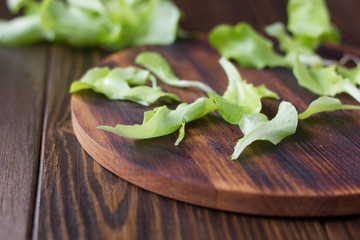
158	65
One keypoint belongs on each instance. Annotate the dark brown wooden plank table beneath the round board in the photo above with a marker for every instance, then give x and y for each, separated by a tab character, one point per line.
51	189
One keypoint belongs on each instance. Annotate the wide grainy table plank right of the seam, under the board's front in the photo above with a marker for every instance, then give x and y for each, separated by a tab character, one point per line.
79	199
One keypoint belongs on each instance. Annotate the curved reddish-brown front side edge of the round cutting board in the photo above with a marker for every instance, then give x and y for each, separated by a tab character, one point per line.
246	202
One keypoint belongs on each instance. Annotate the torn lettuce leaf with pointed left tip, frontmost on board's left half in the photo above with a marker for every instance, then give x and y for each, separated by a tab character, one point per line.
162	121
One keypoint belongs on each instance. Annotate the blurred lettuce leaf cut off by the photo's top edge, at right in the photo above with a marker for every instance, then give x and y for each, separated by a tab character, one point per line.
309	22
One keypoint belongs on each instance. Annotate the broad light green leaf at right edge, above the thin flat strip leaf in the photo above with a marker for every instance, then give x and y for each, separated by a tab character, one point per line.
324	81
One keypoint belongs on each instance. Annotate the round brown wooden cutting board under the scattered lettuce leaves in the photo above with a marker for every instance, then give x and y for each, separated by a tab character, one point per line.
315	172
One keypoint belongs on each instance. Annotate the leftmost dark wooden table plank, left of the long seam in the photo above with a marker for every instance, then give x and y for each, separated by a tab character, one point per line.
22	81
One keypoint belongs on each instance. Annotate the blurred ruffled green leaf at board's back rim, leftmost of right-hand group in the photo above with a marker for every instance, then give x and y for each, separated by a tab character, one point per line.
243	44
